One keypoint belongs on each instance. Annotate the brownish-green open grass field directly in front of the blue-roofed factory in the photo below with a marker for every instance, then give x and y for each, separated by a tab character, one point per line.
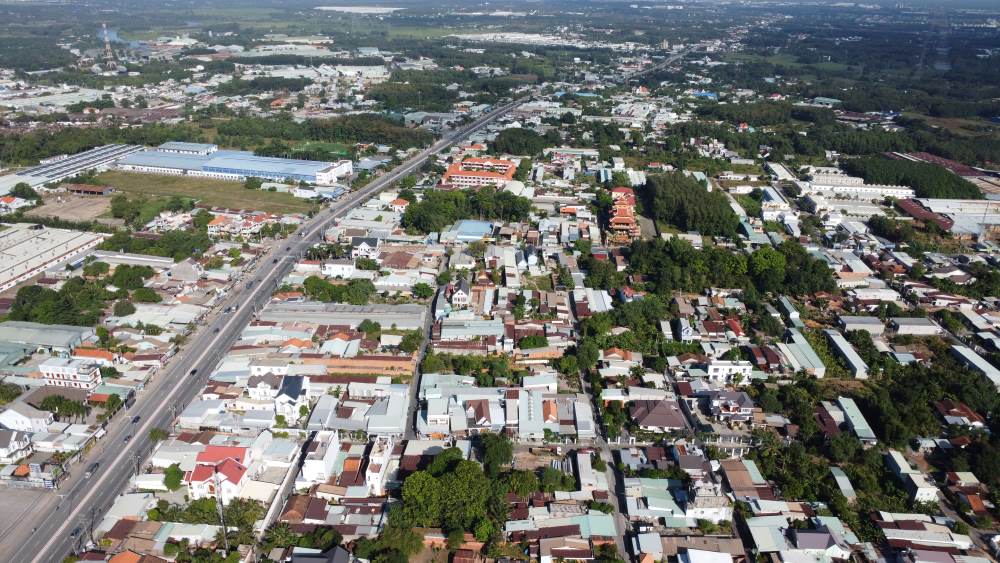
215	193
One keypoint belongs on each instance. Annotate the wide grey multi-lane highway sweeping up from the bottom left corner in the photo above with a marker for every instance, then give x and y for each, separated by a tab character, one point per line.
62	522
